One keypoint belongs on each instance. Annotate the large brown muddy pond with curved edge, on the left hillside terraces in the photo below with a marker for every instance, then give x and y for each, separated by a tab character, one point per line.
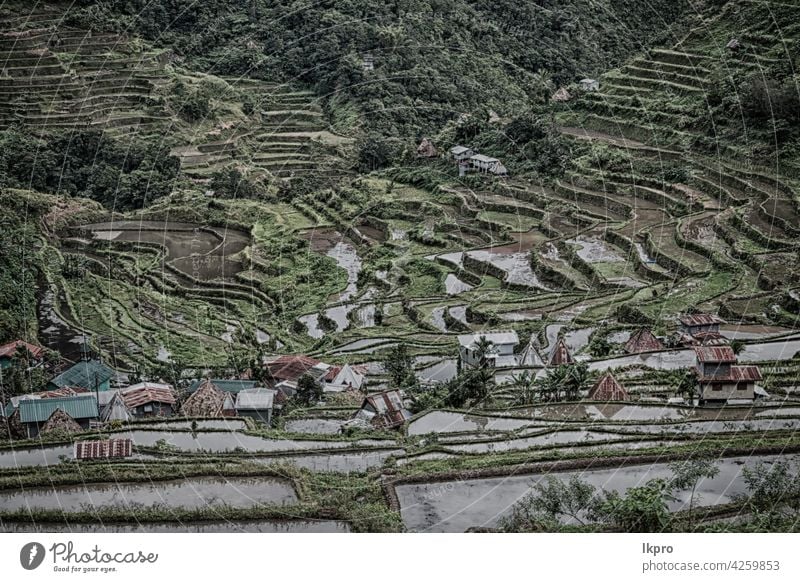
202	254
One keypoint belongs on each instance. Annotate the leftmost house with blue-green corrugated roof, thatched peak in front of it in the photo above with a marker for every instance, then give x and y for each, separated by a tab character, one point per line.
35	413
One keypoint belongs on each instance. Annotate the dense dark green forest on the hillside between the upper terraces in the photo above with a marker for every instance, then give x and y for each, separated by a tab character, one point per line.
433	59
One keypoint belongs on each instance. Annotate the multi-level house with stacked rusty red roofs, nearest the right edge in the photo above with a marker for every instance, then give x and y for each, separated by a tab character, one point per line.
720	379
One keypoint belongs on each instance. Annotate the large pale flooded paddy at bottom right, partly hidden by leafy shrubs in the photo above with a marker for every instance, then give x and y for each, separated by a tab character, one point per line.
455	506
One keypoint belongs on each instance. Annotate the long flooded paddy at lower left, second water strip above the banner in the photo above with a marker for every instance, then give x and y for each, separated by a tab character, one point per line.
190	493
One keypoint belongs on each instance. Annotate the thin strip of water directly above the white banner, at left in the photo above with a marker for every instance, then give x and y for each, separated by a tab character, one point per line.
291	526
